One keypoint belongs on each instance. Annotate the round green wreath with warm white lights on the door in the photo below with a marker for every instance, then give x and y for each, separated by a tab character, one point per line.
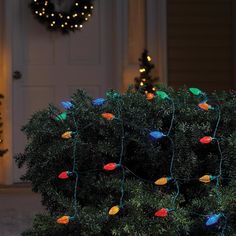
60	15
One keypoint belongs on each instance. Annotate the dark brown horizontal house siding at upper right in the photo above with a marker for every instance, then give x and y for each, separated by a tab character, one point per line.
201	43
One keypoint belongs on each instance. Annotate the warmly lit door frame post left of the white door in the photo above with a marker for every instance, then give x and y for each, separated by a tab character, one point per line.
7	160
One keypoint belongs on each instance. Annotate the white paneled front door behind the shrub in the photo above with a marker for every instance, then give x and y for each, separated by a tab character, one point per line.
54	65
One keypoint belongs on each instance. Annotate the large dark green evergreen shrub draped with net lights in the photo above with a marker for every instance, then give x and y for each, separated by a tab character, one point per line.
46	155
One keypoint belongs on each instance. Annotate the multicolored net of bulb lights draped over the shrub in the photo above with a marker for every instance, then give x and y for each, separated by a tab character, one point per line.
155	135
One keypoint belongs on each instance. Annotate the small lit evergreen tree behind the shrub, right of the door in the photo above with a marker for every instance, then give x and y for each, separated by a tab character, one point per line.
145	83
